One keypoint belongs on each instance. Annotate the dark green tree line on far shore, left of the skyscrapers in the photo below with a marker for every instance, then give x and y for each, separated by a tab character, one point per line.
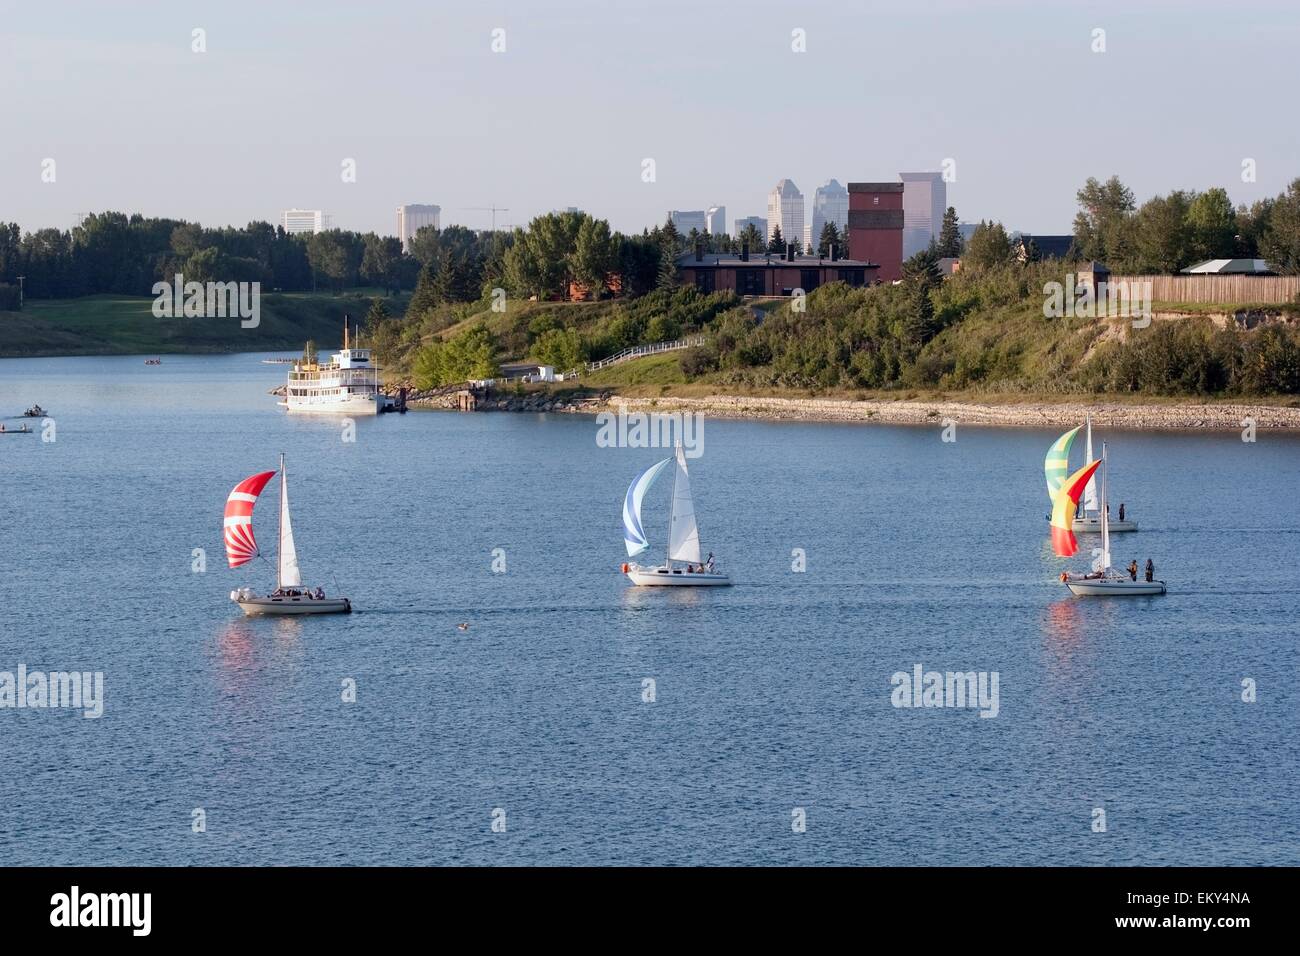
125	256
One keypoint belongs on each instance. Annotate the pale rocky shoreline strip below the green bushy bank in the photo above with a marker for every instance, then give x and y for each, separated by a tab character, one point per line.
892	413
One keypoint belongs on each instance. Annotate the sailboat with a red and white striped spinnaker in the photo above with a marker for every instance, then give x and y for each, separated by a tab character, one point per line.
289	596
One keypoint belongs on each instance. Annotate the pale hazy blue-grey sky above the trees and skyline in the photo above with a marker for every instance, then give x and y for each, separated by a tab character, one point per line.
586	90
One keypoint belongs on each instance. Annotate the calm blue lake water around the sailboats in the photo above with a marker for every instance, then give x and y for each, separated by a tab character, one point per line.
770	697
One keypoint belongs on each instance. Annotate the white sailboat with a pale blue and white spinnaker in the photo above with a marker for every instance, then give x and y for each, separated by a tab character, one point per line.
683	534
